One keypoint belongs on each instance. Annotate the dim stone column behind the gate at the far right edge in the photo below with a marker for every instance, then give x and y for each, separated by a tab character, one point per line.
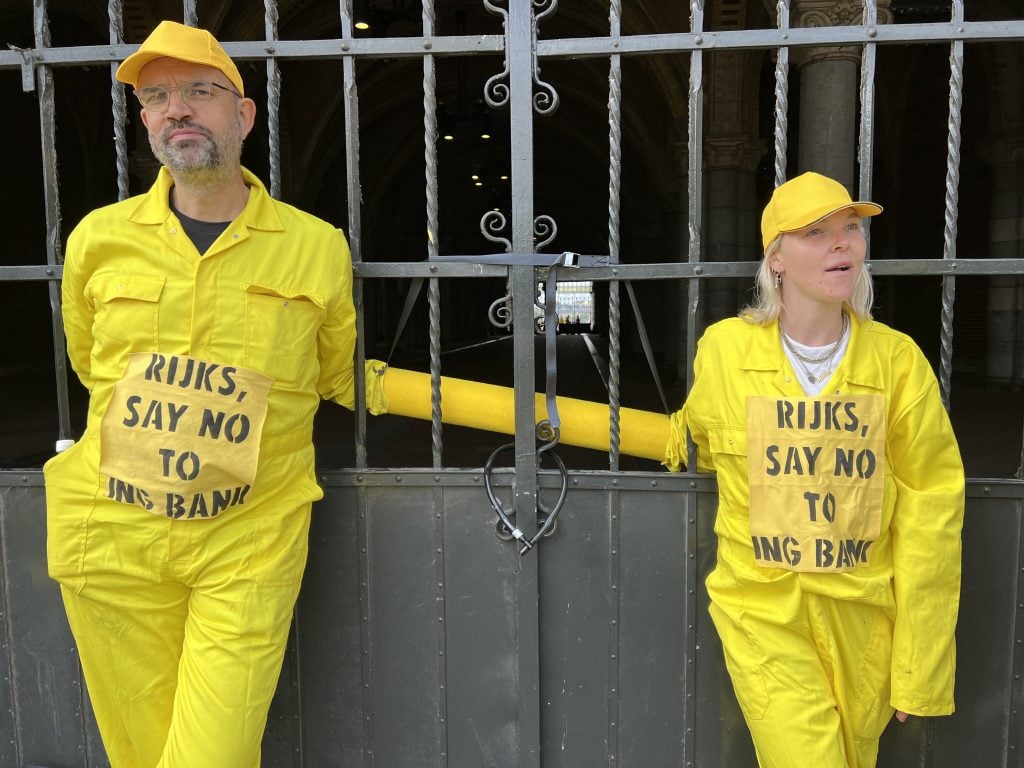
1005	332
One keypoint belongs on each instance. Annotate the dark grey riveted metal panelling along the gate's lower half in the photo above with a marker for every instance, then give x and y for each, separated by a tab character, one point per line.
615	644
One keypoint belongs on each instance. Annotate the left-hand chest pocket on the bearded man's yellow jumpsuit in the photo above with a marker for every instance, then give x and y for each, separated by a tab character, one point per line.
126	319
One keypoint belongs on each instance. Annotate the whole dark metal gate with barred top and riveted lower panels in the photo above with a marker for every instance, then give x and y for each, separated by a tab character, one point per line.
406	694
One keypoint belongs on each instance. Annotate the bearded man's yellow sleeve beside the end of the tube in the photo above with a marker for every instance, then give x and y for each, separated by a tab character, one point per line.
336	338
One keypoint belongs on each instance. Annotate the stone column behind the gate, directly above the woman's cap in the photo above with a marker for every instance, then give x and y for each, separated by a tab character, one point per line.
830	79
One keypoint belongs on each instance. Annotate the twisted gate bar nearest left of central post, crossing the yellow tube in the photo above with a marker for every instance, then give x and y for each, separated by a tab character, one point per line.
434	287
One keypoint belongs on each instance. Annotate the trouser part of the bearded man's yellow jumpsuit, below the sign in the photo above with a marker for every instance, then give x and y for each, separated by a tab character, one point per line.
181	625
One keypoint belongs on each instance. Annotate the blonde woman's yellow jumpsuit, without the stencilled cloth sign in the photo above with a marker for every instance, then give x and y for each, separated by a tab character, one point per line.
820	661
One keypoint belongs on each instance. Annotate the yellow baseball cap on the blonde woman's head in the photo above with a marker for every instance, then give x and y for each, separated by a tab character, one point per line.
804	200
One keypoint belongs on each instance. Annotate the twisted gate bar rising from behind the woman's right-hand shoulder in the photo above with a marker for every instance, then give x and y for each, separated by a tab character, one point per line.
952	200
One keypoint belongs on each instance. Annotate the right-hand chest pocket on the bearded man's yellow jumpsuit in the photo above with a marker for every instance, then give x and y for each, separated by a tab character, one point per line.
281	332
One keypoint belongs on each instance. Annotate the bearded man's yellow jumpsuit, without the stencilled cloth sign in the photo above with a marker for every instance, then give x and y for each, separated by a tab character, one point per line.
182	624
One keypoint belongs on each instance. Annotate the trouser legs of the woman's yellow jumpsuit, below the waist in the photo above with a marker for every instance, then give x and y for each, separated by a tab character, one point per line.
814	692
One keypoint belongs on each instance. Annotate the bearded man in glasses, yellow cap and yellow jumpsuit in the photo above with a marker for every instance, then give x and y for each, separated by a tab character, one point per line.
206	320
